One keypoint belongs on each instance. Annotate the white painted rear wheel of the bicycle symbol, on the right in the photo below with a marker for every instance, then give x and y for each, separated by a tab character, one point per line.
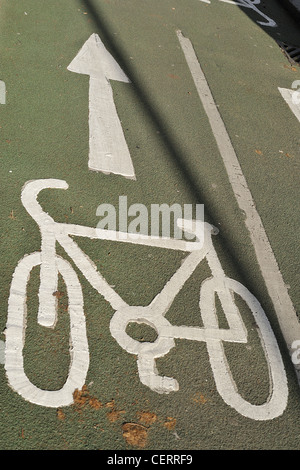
277	400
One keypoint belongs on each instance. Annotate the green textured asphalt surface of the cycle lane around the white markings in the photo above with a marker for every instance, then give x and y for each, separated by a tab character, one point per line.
45	134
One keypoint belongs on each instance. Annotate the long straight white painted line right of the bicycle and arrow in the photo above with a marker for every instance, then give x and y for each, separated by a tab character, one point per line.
276	287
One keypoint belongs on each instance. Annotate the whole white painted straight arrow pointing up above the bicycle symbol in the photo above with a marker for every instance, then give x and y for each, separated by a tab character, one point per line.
108	150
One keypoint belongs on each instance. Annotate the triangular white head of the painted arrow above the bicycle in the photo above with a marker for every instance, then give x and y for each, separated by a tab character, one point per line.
93	59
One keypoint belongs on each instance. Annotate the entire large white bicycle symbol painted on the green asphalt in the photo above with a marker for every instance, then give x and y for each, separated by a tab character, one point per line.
154	314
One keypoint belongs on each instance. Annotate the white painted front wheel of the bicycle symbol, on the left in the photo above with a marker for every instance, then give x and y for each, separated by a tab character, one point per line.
15	336
